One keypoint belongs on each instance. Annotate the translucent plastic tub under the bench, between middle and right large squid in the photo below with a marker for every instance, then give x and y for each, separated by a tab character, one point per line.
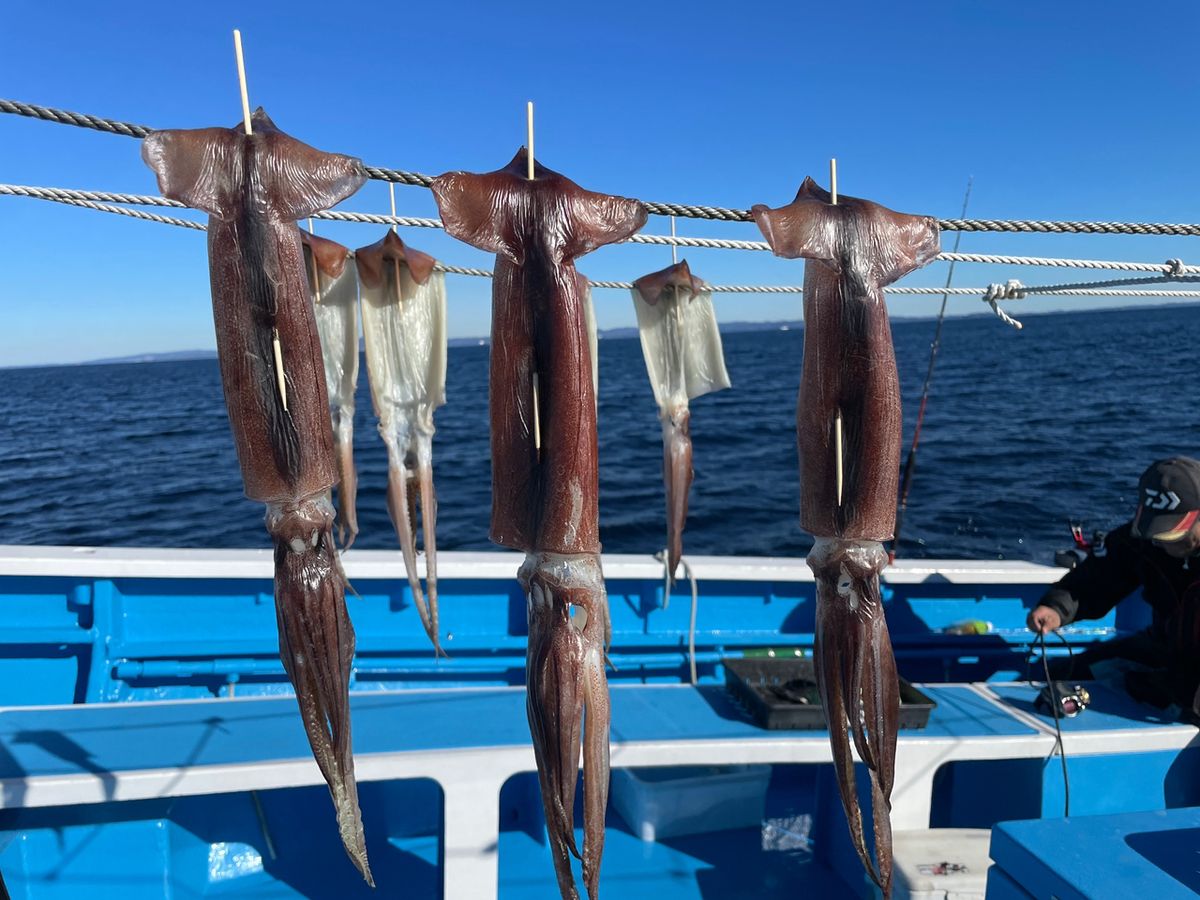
670	802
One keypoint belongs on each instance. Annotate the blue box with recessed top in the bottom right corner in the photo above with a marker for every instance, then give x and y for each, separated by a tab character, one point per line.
1094	857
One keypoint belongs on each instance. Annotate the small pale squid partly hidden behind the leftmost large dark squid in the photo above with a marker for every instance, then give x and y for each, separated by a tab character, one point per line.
334	289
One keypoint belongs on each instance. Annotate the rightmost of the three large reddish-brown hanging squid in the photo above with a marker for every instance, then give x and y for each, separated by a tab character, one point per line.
849	431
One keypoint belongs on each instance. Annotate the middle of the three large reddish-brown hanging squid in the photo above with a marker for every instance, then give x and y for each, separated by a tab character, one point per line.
545	482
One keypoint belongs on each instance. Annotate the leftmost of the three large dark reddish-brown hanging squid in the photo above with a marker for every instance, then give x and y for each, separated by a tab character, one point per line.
255	188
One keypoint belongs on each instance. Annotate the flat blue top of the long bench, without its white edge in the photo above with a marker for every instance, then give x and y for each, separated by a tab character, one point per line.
122	737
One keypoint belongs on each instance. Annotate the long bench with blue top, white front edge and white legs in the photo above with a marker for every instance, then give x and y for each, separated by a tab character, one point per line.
473	742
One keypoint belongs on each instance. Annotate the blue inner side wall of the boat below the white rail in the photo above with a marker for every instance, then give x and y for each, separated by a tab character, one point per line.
99	640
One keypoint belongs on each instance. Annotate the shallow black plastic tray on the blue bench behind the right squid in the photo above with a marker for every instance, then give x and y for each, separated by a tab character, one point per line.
772	691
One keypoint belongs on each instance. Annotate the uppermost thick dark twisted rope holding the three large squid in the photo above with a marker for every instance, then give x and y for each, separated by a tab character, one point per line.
662	209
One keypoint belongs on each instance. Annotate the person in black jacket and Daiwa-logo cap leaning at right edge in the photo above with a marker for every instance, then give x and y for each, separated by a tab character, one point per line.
1160	553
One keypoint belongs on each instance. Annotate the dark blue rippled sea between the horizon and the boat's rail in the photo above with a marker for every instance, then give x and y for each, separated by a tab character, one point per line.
1024	431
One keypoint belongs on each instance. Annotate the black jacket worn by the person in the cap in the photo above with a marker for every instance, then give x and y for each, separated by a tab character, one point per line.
1119	566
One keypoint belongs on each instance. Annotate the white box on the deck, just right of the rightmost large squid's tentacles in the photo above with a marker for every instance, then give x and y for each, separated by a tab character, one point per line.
940	865
